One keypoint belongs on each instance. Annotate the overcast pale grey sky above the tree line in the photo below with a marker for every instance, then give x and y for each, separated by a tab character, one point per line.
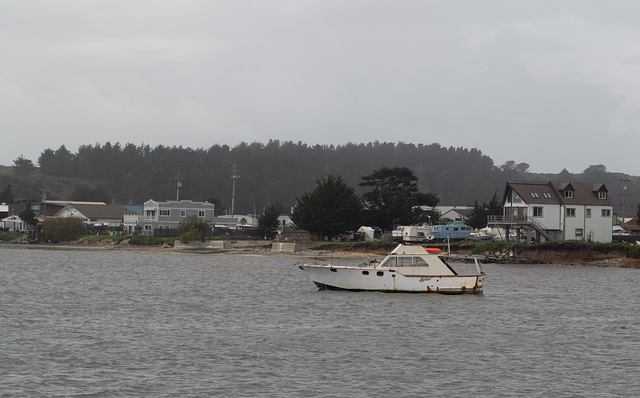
554	84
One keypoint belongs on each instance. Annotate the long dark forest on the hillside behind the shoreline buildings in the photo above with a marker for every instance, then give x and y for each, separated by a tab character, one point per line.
272	172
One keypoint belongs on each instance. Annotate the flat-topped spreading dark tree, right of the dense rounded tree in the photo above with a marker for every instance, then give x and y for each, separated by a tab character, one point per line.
394	198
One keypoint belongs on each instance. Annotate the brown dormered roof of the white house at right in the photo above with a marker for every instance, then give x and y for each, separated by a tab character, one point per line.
553	192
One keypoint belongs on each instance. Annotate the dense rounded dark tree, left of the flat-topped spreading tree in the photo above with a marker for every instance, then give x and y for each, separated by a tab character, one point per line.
331	209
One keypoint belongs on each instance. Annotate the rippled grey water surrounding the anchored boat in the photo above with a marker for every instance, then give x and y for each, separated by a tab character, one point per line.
93	323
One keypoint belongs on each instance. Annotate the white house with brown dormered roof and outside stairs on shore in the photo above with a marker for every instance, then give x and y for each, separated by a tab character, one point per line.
556	210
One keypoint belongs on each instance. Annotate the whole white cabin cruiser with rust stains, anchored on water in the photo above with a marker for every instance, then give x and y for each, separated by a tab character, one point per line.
408	268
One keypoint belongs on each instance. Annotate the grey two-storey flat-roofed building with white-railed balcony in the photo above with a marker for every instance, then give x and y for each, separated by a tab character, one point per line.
163	218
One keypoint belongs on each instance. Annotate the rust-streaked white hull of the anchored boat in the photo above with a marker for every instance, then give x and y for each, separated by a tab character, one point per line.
389	280
